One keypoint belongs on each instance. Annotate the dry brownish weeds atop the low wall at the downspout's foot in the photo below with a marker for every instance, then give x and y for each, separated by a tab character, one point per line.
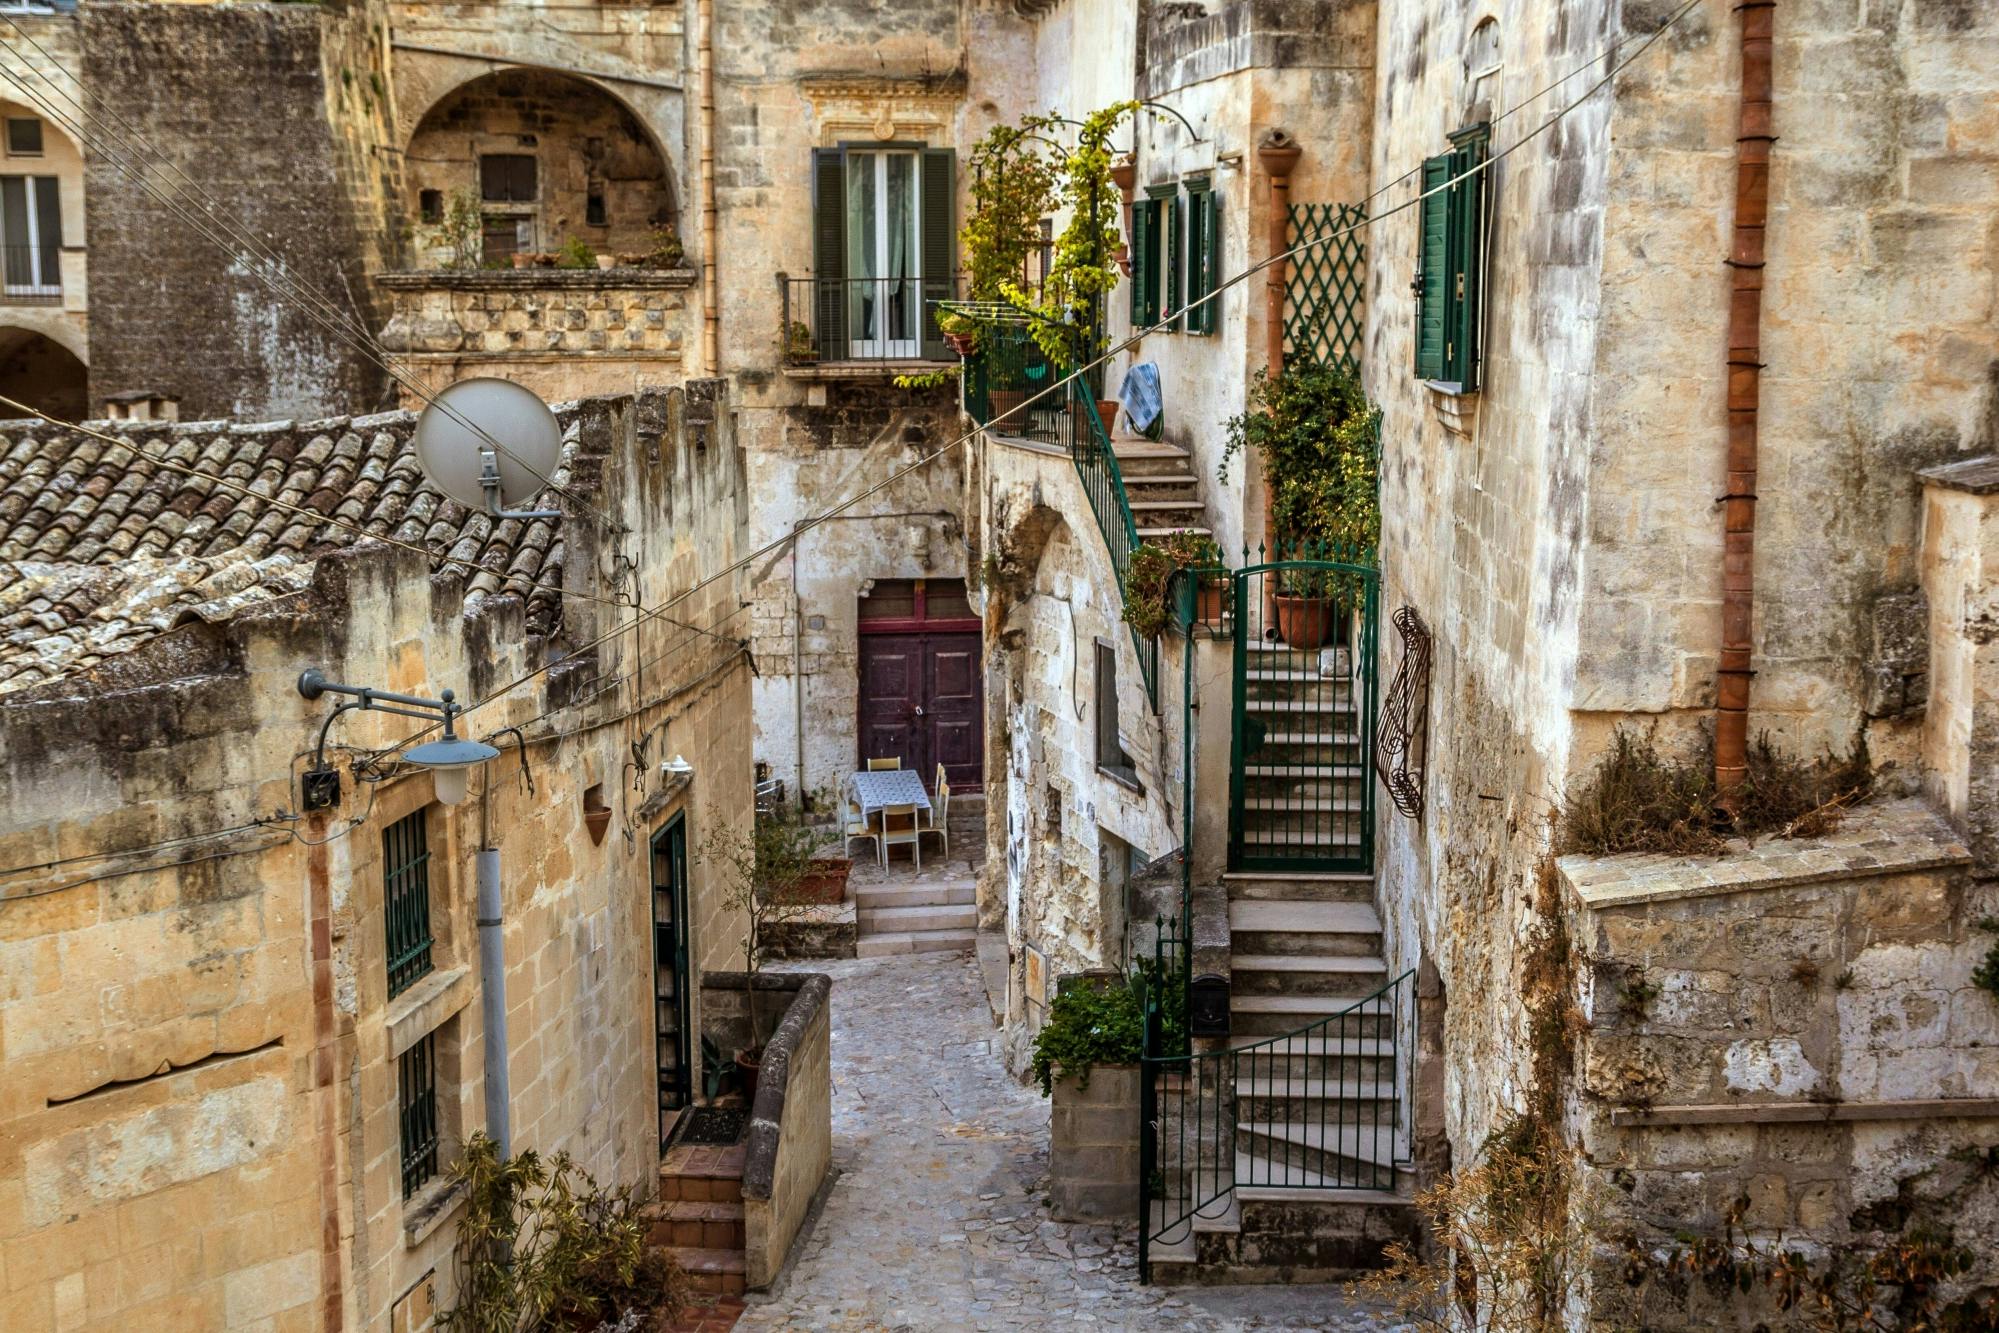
1636	800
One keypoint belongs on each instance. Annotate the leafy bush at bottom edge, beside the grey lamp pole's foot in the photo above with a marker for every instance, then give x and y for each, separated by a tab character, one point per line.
545	1246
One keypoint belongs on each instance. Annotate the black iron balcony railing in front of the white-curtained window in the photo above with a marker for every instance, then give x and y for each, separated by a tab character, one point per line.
865	321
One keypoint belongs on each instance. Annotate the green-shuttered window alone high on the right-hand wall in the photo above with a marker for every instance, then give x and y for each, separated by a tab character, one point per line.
1450	279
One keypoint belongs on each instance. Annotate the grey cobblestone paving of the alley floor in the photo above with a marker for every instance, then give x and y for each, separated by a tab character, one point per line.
939	1218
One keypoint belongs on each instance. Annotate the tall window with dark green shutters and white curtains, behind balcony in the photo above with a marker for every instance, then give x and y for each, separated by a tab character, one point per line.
885	249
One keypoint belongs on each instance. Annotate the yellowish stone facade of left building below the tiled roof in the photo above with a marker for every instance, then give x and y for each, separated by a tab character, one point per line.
199	1118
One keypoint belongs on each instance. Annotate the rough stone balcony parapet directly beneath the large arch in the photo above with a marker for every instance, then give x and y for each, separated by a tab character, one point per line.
563	335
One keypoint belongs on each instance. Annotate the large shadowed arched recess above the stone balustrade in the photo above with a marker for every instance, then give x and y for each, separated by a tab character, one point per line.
531	161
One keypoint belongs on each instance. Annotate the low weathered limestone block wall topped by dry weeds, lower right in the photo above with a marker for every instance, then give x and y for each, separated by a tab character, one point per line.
1796	1026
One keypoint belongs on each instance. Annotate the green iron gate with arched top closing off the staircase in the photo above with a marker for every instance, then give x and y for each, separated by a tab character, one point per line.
1300	780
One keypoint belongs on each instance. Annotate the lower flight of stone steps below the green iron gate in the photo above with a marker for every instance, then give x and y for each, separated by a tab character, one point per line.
1310	1116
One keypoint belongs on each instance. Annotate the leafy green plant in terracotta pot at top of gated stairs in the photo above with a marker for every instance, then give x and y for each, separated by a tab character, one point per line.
1320	445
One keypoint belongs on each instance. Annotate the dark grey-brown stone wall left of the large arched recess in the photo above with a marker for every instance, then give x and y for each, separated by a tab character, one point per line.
241	99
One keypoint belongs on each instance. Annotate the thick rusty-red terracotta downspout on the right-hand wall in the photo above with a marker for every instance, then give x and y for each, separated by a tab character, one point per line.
1746	367
